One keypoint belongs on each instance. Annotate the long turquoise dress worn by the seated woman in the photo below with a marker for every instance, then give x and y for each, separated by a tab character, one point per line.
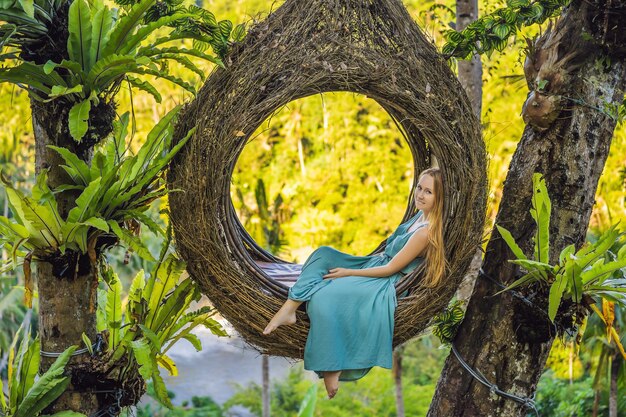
352	317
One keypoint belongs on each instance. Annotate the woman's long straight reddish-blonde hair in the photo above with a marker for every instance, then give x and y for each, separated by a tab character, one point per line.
436	263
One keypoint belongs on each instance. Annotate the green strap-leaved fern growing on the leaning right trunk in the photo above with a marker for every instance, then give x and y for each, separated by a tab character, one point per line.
580	278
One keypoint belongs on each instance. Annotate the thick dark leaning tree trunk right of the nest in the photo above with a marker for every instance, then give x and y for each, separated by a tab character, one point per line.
568	141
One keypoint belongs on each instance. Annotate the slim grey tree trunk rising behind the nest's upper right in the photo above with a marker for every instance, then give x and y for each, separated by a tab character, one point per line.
470	72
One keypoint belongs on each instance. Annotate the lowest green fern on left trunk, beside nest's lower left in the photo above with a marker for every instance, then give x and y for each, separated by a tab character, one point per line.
155	319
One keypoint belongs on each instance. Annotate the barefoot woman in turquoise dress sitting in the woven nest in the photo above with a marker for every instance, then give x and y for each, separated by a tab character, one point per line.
351	300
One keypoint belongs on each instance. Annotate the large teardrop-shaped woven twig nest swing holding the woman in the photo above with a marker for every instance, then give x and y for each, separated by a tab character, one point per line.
306	47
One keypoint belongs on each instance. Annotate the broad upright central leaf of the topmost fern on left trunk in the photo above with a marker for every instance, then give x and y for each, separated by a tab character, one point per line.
79	39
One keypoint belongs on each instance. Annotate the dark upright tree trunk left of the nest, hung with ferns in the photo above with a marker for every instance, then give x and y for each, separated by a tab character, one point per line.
66	282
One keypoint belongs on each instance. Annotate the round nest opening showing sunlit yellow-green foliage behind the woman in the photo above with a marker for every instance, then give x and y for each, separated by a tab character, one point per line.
330	169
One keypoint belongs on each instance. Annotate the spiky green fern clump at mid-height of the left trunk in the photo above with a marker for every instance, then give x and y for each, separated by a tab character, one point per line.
115	191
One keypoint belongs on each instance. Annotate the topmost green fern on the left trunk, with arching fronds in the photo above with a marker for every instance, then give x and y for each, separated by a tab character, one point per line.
104	49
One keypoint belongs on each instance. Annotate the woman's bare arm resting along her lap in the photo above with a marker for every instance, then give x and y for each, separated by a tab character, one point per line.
411	250
